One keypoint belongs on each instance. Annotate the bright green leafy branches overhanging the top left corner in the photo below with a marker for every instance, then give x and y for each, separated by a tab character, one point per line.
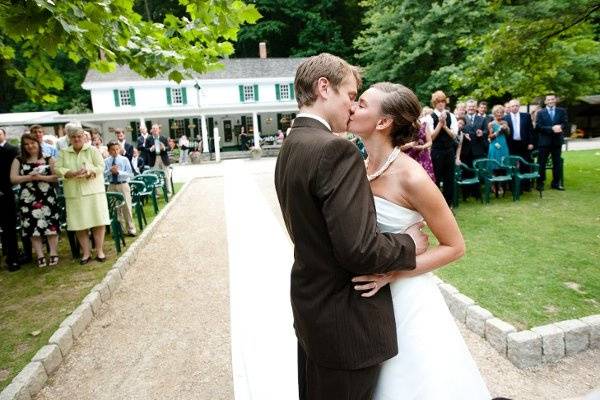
40	30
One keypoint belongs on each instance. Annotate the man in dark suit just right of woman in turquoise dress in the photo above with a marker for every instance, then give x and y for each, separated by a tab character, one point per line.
520	139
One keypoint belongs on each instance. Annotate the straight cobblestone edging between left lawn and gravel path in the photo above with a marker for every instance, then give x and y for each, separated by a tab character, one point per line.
46	361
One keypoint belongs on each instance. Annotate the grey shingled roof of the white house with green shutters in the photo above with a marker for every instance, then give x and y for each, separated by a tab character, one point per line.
234	68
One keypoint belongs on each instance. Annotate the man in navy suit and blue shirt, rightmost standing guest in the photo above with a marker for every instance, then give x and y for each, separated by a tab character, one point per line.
551	124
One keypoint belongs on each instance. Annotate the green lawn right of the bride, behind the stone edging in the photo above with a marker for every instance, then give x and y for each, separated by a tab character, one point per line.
535	261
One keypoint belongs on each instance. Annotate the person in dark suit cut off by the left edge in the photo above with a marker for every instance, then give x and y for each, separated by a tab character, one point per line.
8	215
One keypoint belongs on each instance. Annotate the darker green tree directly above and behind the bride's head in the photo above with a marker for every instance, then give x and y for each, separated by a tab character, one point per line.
414	42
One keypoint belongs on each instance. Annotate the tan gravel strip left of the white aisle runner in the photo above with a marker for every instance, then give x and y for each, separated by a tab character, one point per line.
165	334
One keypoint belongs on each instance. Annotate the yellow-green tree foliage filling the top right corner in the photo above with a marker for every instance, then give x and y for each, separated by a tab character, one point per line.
551	46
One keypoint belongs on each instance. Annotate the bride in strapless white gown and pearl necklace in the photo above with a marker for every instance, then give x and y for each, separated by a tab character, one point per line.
433	361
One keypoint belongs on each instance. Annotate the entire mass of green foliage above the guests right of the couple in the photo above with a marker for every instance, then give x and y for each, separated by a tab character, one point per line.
483	48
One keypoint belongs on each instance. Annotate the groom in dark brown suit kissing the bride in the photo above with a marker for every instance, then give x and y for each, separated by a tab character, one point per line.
329	213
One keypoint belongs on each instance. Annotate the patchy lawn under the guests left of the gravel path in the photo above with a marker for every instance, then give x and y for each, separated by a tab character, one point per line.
34	301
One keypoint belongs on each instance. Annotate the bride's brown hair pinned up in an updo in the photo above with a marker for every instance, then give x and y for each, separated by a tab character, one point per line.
403	106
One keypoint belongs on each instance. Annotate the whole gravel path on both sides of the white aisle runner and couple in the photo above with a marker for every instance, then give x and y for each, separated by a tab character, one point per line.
166	333
